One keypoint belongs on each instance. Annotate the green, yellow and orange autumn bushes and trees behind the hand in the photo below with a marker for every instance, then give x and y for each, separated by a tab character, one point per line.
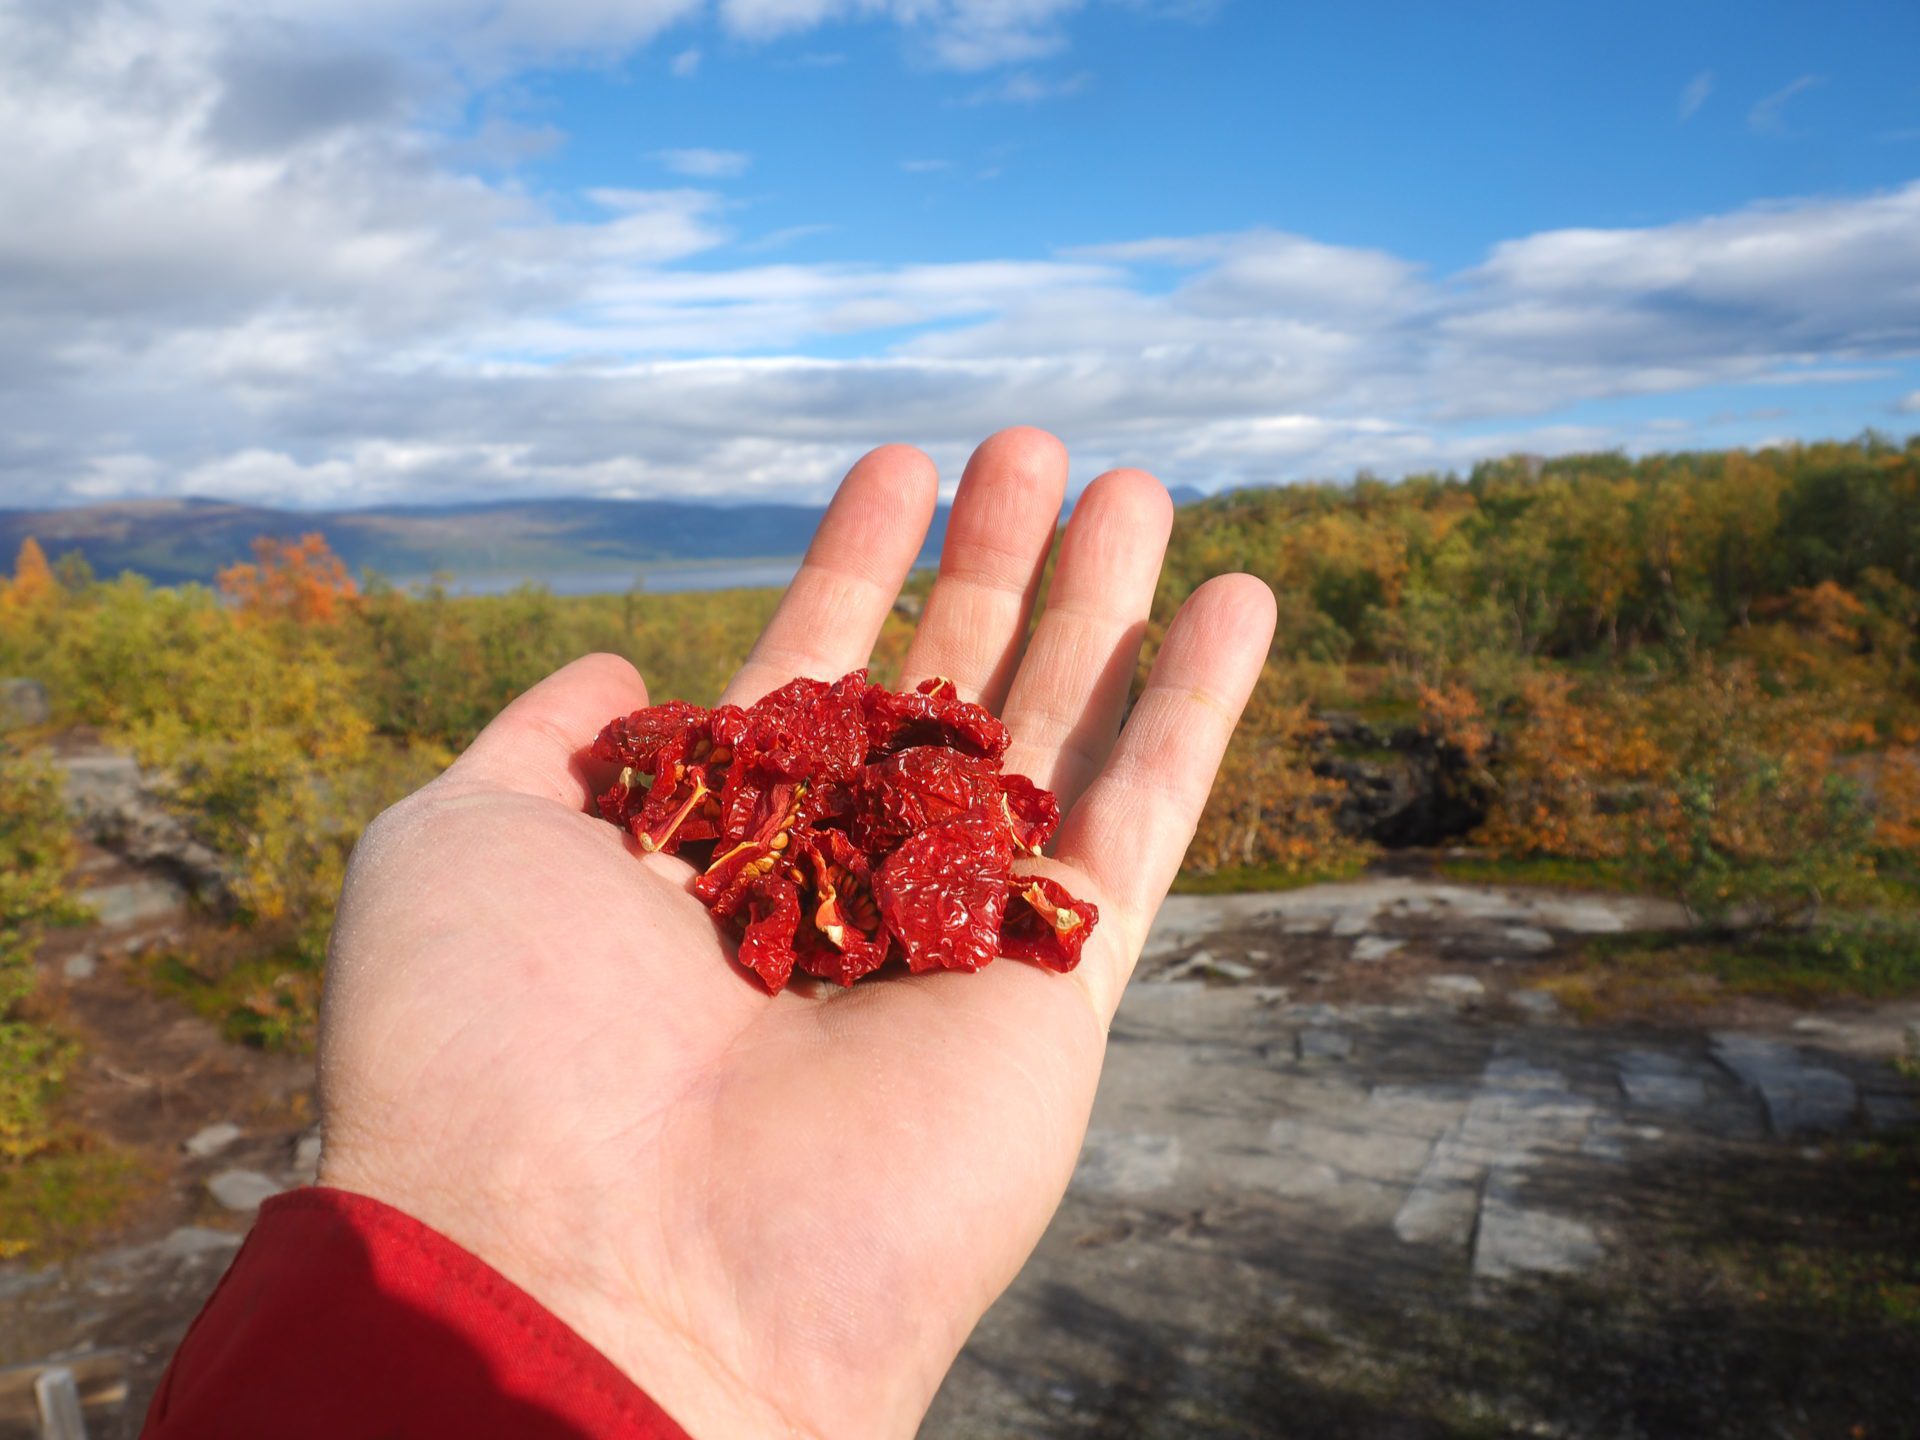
1691	669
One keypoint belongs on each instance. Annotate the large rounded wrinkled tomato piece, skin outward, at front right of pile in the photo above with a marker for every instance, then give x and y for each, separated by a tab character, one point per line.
944	896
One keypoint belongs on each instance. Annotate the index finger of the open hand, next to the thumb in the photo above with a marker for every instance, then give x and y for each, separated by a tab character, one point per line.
832	613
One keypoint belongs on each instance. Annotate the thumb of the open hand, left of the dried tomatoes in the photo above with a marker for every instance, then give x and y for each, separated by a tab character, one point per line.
537	746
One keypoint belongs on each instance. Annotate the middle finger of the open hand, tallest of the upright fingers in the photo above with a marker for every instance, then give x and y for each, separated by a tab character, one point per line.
997	539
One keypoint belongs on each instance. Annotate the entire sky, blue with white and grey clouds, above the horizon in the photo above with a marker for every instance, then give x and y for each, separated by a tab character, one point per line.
366	252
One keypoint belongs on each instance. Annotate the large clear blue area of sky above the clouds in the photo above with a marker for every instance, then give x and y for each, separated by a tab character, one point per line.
1389	126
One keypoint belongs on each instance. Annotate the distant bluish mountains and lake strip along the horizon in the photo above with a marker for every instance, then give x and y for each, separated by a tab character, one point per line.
571	544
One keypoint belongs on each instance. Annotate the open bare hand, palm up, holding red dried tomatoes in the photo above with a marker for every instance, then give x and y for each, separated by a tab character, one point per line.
779	1214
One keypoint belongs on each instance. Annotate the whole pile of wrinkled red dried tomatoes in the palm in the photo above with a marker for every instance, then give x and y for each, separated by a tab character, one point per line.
850	825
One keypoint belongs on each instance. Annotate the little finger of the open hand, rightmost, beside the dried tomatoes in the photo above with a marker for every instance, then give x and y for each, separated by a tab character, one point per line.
1132	828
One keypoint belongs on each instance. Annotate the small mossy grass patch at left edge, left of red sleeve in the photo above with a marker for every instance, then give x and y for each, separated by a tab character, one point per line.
62	1201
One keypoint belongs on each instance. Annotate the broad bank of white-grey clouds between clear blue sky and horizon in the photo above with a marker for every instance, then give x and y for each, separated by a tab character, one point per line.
308	302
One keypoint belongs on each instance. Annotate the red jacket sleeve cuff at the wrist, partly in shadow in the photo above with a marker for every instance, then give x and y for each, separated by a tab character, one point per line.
347	1318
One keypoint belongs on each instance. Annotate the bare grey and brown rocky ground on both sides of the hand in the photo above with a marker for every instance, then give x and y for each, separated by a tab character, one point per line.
1351	1174
